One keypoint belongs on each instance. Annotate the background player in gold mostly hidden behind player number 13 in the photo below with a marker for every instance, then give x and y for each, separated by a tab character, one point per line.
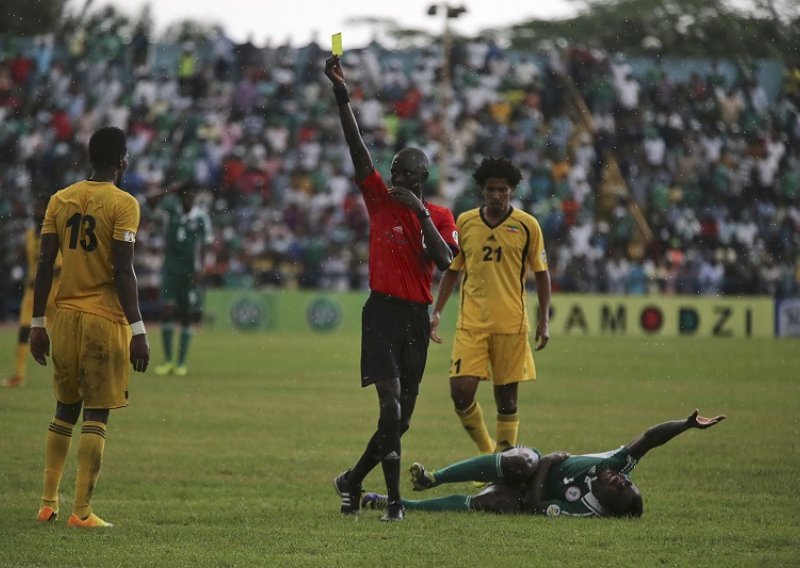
26	307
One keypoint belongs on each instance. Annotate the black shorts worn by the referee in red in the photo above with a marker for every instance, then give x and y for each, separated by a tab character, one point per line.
394	341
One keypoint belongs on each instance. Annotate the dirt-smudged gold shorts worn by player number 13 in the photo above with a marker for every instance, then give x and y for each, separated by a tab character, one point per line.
90	359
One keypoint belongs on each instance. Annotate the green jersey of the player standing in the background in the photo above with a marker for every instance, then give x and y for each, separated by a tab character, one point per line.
186	236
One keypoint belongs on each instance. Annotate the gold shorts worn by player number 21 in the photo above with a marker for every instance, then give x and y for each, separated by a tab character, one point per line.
503	358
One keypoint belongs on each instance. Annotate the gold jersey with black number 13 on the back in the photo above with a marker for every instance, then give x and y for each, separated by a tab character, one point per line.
85	217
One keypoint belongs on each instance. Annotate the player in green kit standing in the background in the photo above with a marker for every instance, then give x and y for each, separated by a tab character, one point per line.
188	233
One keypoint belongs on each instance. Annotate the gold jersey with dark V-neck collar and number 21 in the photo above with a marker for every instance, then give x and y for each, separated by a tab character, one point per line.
494	261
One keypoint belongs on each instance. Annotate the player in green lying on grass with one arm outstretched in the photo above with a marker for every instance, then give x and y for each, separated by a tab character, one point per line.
522	481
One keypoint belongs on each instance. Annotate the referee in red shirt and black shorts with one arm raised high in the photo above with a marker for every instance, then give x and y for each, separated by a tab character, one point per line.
407	237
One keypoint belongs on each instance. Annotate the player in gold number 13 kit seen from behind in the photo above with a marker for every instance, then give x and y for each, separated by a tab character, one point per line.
93	224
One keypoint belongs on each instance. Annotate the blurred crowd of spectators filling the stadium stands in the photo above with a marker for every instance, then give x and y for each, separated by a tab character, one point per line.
713	162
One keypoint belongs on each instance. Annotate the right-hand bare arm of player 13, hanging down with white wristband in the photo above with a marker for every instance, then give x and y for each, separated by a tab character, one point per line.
127	292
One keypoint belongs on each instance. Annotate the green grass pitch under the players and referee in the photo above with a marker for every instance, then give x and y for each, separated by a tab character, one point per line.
232	466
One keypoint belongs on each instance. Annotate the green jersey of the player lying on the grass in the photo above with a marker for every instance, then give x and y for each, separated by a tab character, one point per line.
569	484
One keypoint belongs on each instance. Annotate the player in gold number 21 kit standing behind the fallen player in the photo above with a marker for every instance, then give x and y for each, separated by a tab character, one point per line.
499	244
